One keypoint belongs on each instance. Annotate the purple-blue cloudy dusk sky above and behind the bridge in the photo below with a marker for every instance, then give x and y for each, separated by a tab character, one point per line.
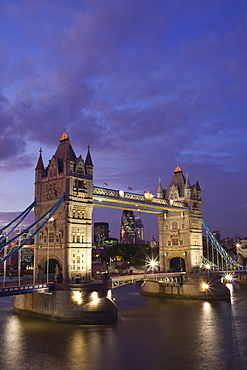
148	85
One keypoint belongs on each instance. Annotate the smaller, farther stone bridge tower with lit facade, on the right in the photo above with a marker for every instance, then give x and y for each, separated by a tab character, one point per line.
180	233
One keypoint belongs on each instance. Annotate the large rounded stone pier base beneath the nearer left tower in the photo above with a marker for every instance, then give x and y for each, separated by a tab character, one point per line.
75	303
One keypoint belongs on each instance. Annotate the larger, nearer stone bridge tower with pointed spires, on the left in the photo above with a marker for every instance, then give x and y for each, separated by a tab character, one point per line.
63	246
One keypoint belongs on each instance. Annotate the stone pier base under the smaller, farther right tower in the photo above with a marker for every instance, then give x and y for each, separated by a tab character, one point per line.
206	286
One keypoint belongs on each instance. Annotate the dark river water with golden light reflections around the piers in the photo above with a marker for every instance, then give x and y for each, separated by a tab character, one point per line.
152	334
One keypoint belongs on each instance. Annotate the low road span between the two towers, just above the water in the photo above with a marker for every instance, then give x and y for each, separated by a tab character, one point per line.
167	278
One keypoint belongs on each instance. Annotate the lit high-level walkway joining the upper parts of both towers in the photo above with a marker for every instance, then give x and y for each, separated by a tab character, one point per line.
119	199
